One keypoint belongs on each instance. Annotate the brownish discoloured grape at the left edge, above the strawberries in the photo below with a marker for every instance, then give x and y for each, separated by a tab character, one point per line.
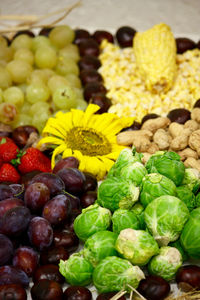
8	113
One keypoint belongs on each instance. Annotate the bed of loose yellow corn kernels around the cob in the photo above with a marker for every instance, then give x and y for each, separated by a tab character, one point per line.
128	93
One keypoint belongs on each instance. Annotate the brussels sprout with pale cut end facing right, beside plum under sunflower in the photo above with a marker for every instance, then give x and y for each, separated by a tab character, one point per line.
114	193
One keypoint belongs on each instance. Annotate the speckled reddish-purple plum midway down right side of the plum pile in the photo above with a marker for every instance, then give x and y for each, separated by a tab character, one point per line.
57	210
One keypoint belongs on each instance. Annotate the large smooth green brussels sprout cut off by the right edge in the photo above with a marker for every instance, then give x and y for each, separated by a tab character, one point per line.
190	236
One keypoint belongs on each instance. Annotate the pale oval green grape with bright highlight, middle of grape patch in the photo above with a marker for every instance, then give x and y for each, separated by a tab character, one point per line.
37	92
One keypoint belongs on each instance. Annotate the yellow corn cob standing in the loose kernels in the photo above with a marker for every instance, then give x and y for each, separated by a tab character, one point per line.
155	54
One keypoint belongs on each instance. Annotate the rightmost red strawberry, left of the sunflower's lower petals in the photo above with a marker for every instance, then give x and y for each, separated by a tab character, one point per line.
34	160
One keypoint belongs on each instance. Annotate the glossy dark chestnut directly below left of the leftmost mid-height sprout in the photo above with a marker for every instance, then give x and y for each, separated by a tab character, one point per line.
68	240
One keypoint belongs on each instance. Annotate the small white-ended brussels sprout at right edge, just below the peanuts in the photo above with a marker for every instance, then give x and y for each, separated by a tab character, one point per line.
192	179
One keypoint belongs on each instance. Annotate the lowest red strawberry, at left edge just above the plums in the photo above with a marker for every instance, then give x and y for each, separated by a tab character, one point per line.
9	173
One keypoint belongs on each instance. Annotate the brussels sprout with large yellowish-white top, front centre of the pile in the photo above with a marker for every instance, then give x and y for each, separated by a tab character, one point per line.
138	246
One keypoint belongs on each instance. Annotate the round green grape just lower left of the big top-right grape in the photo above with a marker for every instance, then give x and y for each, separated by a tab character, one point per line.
45	57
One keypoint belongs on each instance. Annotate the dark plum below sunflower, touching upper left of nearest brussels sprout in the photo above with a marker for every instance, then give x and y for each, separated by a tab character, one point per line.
73	179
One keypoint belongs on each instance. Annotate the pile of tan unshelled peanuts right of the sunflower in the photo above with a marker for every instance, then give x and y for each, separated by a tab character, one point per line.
161	134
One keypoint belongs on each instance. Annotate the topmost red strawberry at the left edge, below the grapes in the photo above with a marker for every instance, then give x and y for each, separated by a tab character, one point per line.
8	151
